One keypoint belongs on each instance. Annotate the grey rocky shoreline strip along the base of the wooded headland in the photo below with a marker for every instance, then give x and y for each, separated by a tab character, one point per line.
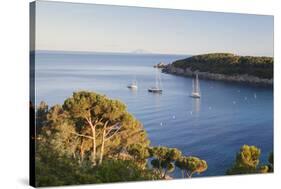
245	78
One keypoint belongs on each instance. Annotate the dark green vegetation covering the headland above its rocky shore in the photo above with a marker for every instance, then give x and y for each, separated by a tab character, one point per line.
229	64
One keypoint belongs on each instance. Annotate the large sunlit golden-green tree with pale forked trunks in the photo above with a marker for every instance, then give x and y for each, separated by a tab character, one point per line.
90	126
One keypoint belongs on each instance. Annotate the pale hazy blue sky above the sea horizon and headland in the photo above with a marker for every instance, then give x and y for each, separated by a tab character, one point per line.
87	27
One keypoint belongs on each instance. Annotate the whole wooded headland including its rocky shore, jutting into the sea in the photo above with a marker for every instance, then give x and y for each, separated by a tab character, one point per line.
226	67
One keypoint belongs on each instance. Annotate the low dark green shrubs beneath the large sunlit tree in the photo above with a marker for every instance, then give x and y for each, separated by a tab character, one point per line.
52	170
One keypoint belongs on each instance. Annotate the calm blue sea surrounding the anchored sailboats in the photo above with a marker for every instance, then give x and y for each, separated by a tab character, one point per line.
214	127
